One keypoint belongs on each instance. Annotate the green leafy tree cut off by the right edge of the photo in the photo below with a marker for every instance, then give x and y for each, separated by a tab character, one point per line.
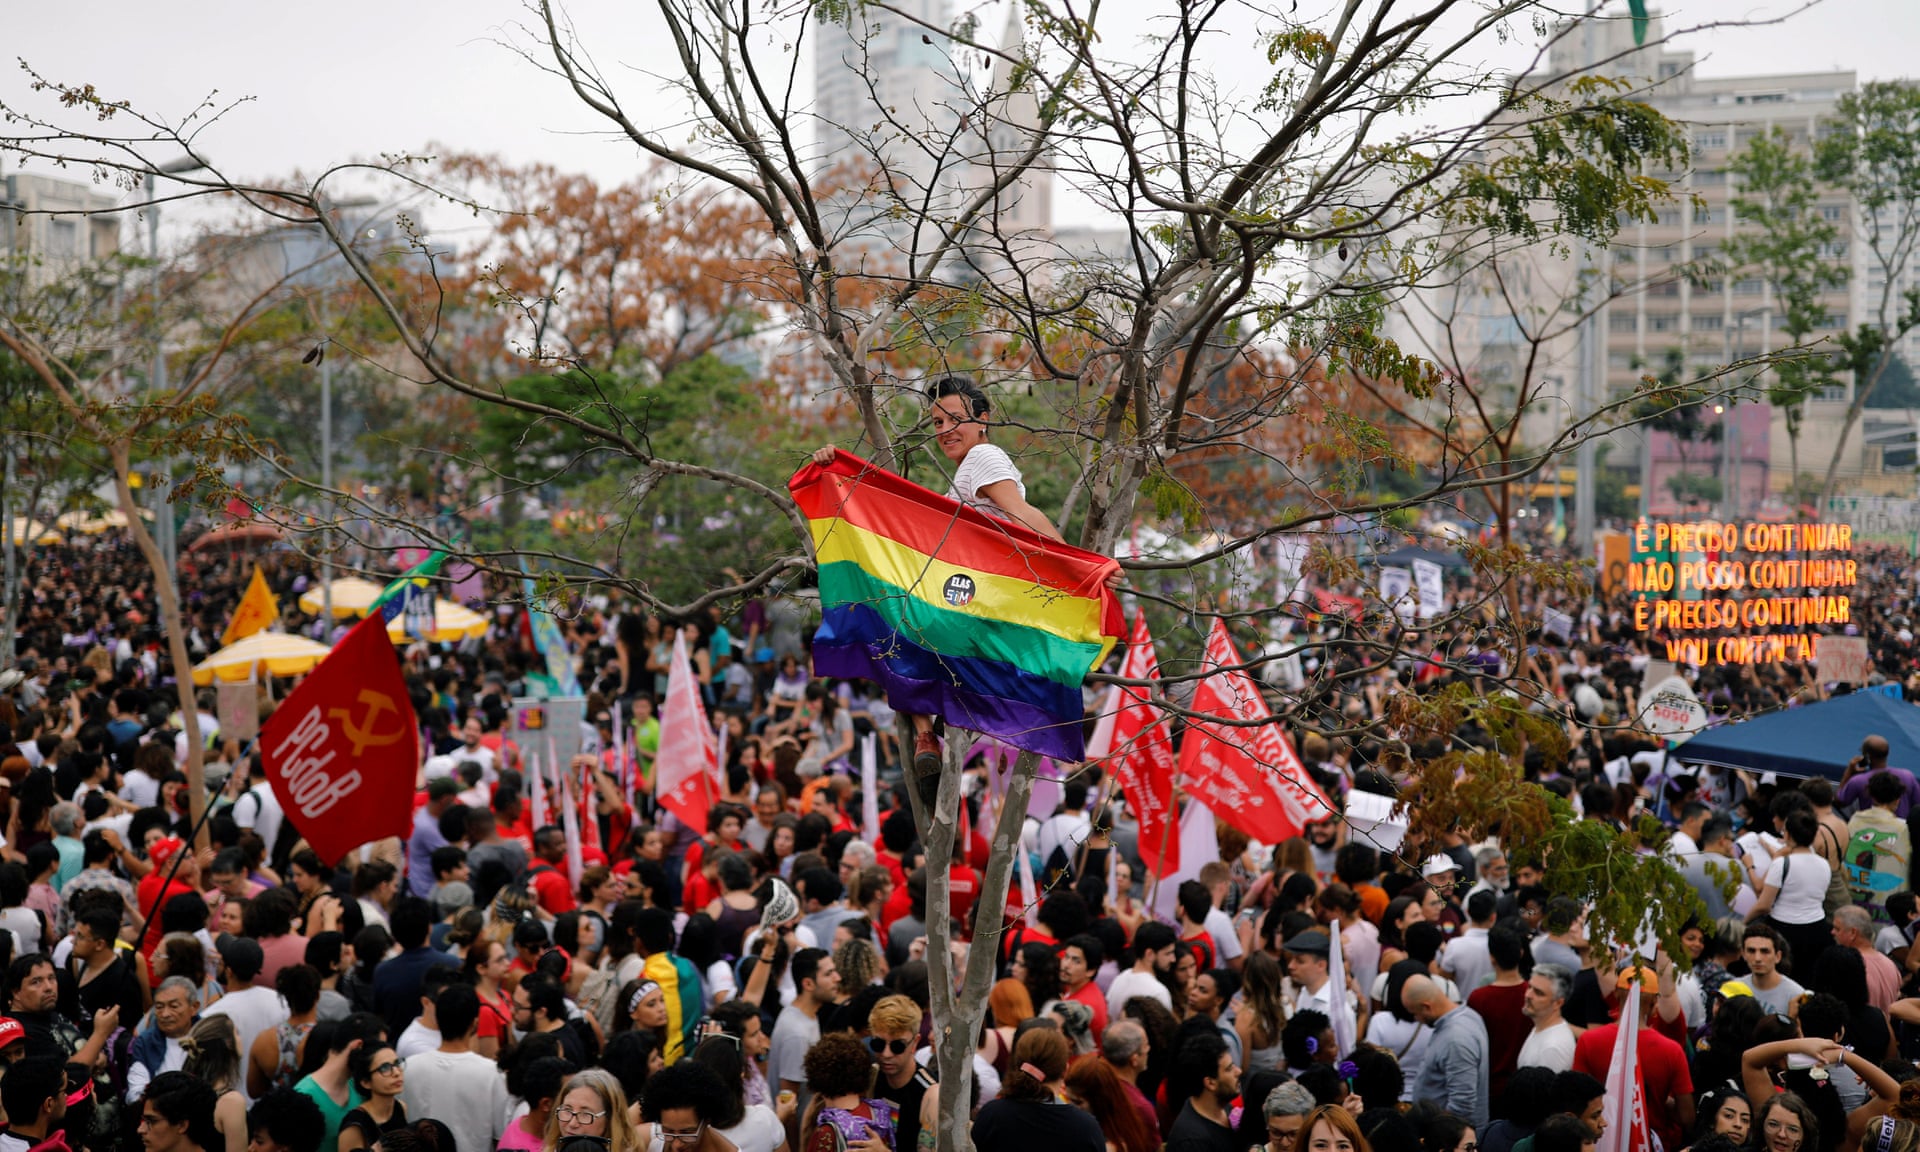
1875	156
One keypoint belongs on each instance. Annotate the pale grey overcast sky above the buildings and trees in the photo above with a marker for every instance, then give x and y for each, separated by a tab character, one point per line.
358	78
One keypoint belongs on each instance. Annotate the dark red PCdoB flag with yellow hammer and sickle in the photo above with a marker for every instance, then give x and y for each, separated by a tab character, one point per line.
345	748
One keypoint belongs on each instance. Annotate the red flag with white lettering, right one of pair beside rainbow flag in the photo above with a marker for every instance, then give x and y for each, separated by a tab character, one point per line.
1247	773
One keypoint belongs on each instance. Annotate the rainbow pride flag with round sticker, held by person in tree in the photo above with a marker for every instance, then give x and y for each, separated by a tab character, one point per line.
951	612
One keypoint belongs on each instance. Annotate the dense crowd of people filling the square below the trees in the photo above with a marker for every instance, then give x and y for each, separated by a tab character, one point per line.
763	984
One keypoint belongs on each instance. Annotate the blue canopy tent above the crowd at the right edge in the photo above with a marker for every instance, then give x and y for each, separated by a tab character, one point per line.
1815	740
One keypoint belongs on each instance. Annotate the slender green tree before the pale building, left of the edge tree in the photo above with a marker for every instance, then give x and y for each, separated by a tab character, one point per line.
1787	245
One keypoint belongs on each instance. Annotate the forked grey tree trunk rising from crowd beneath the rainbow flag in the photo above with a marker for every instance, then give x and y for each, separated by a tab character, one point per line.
957	1020
